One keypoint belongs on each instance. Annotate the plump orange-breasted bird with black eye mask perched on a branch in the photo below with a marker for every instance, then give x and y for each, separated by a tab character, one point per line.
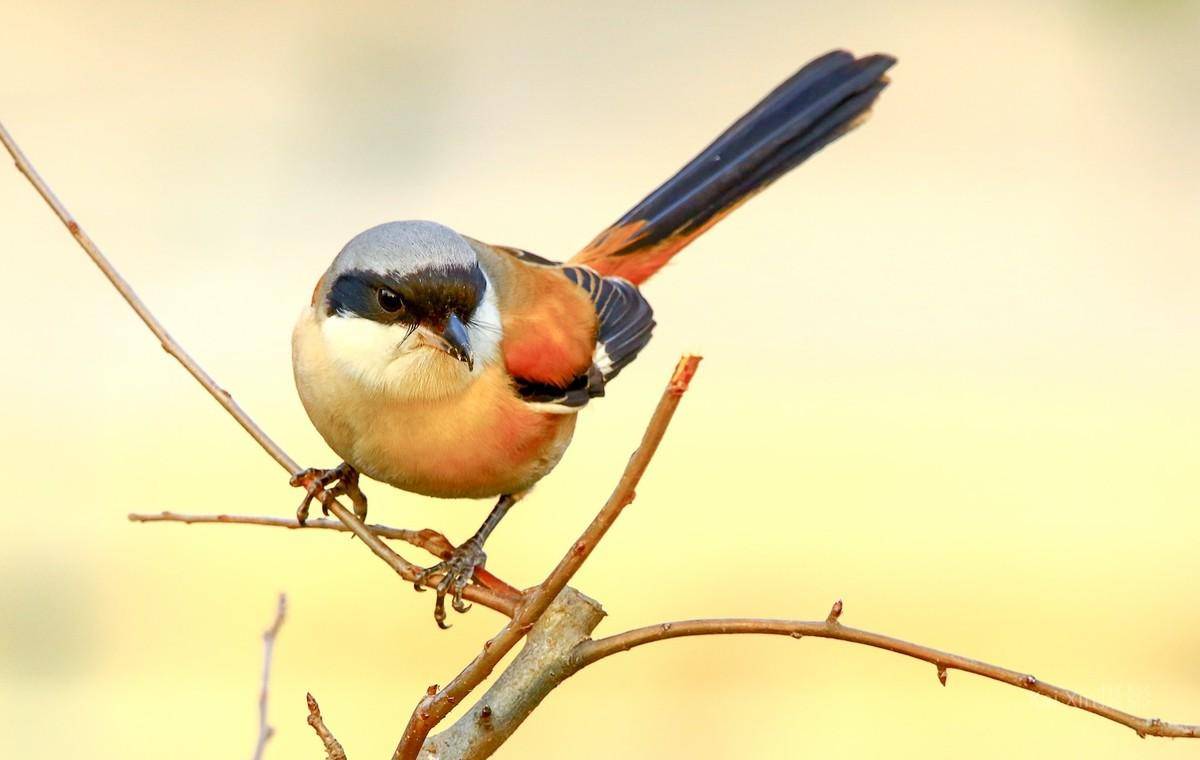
455	369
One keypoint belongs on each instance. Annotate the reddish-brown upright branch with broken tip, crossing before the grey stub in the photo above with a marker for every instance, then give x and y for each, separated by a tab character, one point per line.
437	704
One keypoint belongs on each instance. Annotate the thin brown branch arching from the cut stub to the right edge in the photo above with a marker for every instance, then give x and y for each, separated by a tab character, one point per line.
590	653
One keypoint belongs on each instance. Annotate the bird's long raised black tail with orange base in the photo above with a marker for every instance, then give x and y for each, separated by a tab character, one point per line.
817	106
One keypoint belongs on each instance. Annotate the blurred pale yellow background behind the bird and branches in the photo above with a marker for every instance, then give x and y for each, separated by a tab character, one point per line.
951	370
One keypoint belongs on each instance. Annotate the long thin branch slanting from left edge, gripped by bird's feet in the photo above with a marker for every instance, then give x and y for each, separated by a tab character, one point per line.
403	567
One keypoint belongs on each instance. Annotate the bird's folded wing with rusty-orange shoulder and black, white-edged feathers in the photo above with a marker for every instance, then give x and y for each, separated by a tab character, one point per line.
567	331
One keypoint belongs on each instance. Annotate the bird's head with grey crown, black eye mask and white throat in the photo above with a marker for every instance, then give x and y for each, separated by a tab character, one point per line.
406	308
